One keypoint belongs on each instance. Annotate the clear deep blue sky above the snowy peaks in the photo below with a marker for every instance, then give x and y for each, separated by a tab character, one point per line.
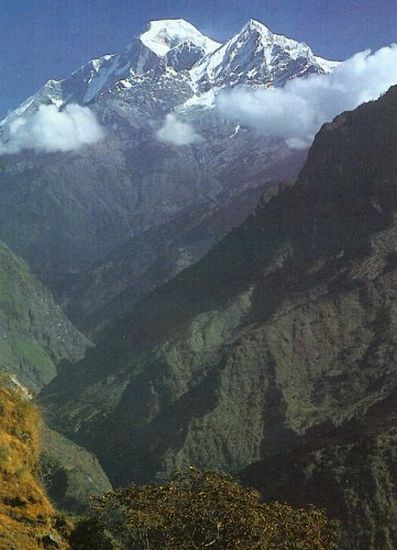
42	39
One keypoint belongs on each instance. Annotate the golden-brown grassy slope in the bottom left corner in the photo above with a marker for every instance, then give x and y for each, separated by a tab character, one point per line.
27	518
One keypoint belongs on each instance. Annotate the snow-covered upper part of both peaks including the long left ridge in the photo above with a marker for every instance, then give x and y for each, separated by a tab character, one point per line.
254	56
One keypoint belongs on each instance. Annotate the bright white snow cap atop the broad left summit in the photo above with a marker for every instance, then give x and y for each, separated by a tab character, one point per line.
163	35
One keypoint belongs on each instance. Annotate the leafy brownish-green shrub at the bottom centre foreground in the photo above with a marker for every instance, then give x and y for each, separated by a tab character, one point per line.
199	510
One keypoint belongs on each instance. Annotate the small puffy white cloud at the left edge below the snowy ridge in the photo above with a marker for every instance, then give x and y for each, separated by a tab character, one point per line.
49	130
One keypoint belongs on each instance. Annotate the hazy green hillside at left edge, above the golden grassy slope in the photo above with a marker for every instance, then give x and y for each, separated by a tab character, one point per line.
34	333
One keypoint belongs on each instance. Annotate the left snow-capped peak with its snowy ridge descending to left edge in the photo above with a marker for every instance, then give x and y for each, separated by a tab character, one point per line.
172	43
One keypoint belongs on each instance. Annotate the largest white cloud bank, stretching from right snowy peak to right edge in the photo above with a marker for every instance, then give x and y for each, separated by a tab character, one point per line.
297	111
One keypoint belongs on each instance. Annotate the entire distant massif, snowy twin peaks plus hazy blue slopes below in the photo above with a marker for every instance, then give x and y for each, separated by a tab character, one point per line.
69	212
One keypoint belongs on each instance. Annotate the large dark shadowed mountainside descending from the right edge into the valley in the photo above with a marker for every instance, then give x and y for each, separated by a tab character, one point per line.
285	328
